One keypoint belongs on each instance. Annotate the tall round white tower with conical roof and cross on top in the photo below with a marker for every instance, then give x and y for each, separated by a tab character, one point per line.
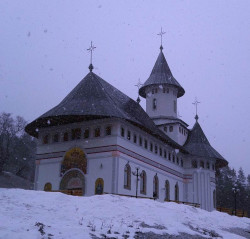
161	91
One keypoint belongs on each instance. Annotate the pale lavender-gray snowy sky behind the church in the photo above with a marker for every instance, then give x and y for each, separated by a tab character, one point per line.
43	56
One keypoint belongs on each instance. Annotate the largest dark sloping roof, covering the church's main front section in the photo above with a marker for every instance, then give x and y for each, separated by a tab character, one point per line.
94	98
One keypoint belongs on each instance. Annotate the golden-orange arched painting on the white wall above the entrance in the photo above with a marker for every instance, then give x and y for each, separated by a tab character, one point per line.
74	158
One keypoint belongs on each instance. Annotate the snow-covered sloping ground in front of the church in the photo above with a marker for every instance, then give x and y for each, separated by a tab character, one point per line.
36	214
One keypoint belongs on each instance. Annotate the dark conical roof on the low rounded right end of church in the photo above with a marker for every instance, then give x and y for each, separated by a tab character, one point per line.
198	144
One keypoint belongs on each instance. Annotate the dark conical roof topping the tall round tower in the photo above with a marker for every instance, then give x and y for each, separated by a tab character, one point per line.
161	74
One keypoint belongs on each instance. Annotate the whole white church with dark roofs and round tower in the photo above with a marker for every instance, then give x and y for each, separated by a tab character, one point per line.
98	140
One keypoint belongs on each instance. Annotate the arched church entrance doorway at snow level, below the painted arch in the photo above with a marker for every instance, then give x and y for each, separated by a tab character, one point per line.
73	183
